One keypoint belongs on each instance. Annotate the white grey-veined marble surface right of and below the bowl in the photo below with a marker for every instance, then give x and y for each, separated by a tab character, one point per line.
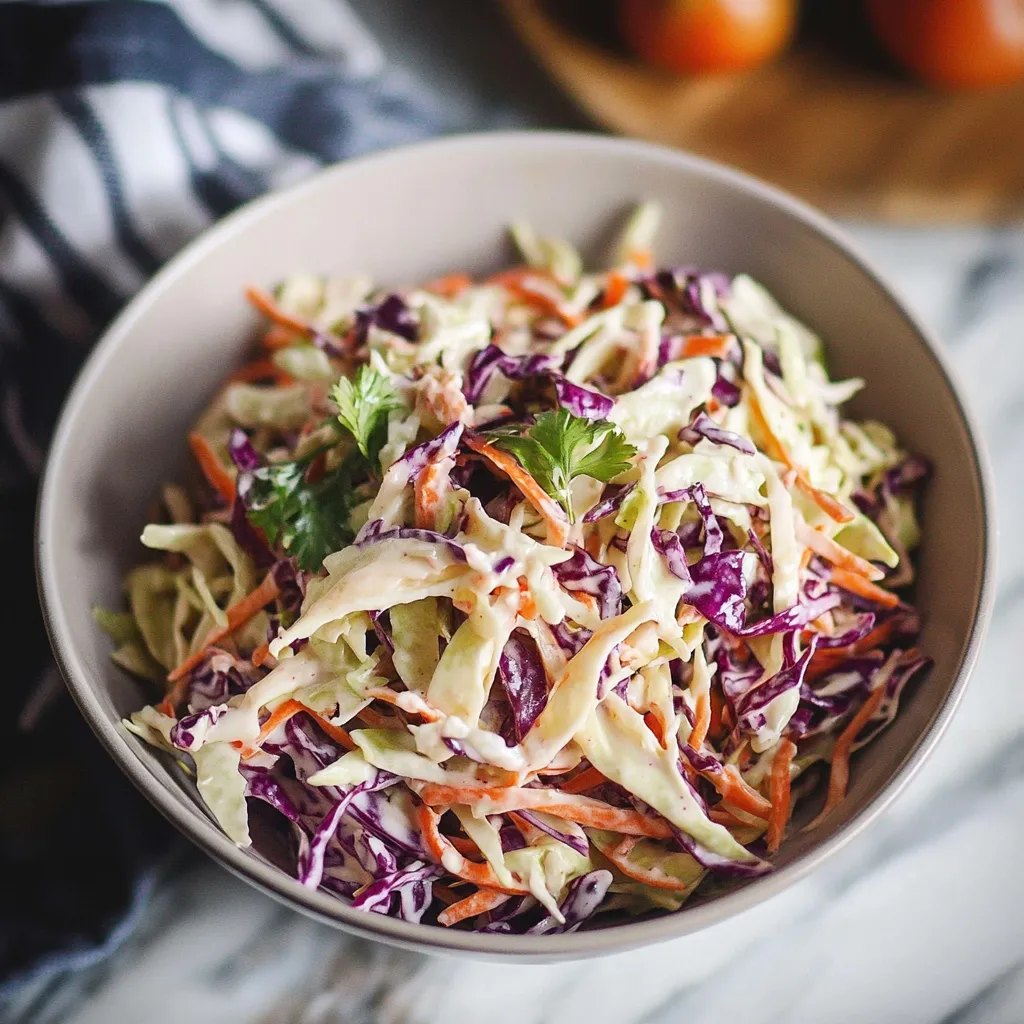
921	920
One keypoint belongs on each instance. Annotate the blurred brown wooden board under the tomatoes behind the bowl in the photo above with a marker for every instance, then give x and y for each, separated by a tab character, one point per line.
857	142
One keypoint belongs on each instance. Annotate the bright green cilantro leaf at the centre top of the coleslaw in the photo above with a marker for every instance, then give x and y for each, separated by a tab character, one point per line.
560	447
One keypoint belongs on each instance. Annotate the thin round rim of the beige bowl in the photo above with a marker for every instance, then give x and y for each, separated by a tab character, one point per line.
330	910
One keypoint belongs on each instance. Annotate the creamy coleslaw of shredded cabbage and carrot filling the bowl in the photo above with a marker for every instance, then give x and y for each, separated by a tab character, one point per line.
521	602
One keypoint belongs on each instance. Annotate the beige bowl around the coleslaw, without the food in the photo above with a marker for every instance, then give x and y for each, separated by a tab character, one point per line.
419	214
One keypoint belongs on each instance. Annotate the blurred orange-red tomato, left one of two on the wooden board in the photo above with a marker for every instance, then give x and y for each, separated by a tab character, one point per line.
694	36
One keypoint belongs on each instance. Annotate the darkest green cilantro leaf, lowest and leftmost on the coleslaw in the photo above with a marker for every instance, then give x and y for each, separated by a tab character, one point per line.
309	521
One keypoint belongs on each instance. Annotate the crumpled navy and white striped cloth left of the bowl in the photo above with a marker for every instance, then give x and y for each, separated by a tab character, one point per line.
126	127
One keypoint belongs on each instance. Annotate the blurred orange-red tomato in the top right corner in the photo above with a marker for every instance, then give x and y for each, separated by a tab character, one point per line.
956	44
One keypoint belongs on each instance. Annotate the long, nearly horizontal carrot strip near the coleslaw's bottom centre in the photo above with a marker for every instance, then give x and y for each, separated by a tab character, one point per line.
583	810
